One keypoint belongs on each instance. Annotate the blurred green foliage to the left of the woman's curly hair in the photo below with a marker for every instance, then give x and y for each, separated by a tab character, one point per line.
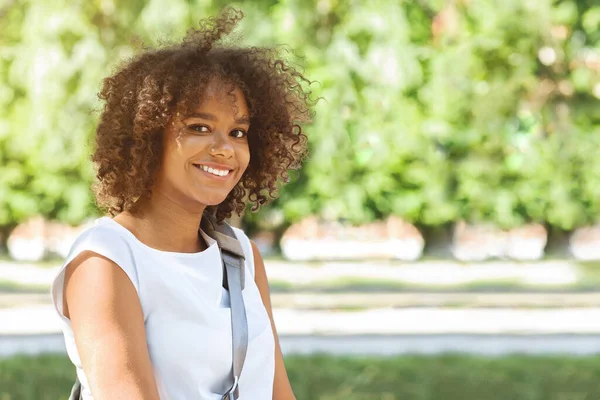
53	57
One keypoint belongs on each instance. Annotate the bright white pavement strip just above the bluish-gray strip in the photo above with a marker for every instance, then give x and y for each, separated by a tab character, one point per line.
41	319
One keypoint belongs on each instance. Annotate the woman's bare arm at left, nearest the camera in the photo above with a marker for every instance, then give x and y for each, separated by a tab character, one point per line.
108	325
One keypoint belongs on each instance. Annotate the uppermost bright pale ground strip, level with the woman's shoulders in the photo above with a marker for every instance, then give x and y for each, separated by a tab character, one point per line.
441	273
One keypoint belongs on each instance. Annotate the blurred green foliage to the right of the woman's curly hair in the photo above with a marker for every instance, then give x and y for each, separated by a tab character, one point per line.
439	111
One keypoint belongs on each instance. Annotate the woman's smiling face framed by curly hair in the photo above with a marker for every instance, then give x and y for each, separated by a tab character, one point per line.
206	153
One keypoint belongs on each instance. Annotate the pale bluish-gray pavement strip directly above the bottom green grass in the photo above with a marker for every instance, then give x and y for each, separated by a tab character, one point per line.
371	345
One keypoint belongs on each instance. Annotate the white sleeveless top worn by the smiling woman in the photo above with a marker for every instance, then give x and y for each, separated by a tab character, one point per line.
186	315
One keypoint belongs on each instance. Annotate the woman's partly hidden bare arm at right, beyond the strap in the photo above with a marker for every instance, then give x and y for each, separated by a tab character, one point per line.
282	389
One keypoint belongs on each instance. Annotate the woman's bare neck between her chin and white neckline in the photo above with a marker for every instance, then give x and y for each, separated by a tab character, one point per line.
163	224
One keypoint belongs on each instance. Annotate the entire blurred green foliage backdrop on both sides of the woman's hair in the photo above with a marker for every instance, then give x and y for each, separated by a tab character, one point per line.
431	110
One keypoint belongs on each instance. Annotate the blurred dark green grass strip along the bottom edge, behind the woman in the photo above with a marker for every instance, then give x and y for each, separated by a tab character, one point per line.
320	377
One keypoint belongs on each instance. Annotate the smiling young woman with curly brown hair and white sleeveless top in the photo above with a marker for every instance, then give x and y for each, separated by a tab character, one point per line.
186	130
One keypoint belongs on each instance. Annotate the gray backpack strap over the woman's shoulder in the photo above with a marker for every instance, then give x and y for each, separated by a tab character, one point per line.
233	258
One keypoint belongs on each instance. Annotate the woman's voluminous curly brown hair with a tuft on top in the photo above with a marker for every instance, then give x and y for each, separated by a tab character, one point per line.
147	90
